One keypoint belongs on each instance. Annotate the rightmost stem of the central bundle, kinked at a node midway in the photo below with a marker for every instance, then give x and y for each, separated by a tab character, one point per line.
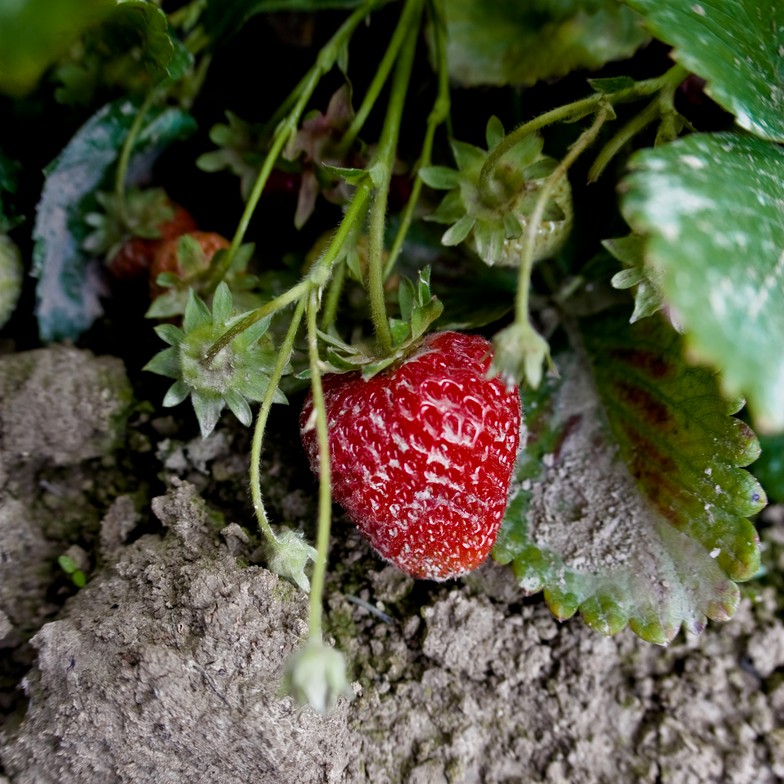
438	114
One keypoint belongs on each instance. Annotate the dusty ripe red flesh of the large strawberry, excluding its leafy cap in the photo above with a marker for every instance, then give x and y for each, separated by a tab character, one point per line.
422	454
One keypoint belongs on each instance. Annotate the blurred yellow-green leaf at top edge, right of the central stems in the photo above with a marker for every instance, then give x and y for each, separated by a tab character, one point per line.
508	42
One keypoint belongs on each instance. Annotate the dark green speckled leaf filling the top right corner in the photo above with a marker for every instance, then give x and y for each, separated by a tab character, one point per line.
736	46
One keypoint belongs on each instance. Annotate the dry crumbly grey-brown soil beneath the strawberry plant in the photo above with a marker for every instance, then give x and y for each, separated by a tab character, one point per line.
166	667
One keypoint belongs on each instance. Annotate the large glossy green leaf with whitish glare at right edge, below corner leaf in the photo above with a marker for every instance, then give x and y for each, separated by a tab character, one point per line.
710	206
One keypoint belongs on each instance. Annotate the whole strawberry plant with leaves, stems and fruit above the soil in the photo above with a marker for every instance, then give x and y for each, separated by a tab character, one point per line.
540	321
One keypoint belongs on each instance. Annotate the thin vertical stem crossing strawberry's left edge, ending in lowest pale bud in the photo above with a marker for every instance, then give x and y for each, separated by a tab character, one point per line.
325	476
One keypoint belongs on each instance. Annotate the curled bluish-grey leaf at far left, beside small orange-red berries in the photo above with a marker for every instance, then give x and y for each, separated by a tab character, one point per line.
69	286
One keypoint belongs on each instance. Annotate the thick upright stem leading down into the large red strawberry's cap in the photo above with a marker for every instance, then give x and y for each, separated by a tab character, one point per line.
381	174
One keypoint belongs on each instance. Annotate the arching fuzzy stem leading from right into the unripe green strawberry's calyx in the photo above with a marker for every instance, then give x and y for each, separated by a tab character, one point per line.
572	112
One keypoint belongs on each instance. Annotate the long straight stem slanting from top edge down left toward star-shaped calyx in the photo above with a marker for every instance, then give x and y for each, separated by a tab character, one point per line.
304	90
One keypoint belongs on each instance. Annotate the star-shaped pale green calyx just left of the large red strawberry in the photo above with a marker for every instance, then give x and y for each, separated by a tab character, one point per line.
235	375
